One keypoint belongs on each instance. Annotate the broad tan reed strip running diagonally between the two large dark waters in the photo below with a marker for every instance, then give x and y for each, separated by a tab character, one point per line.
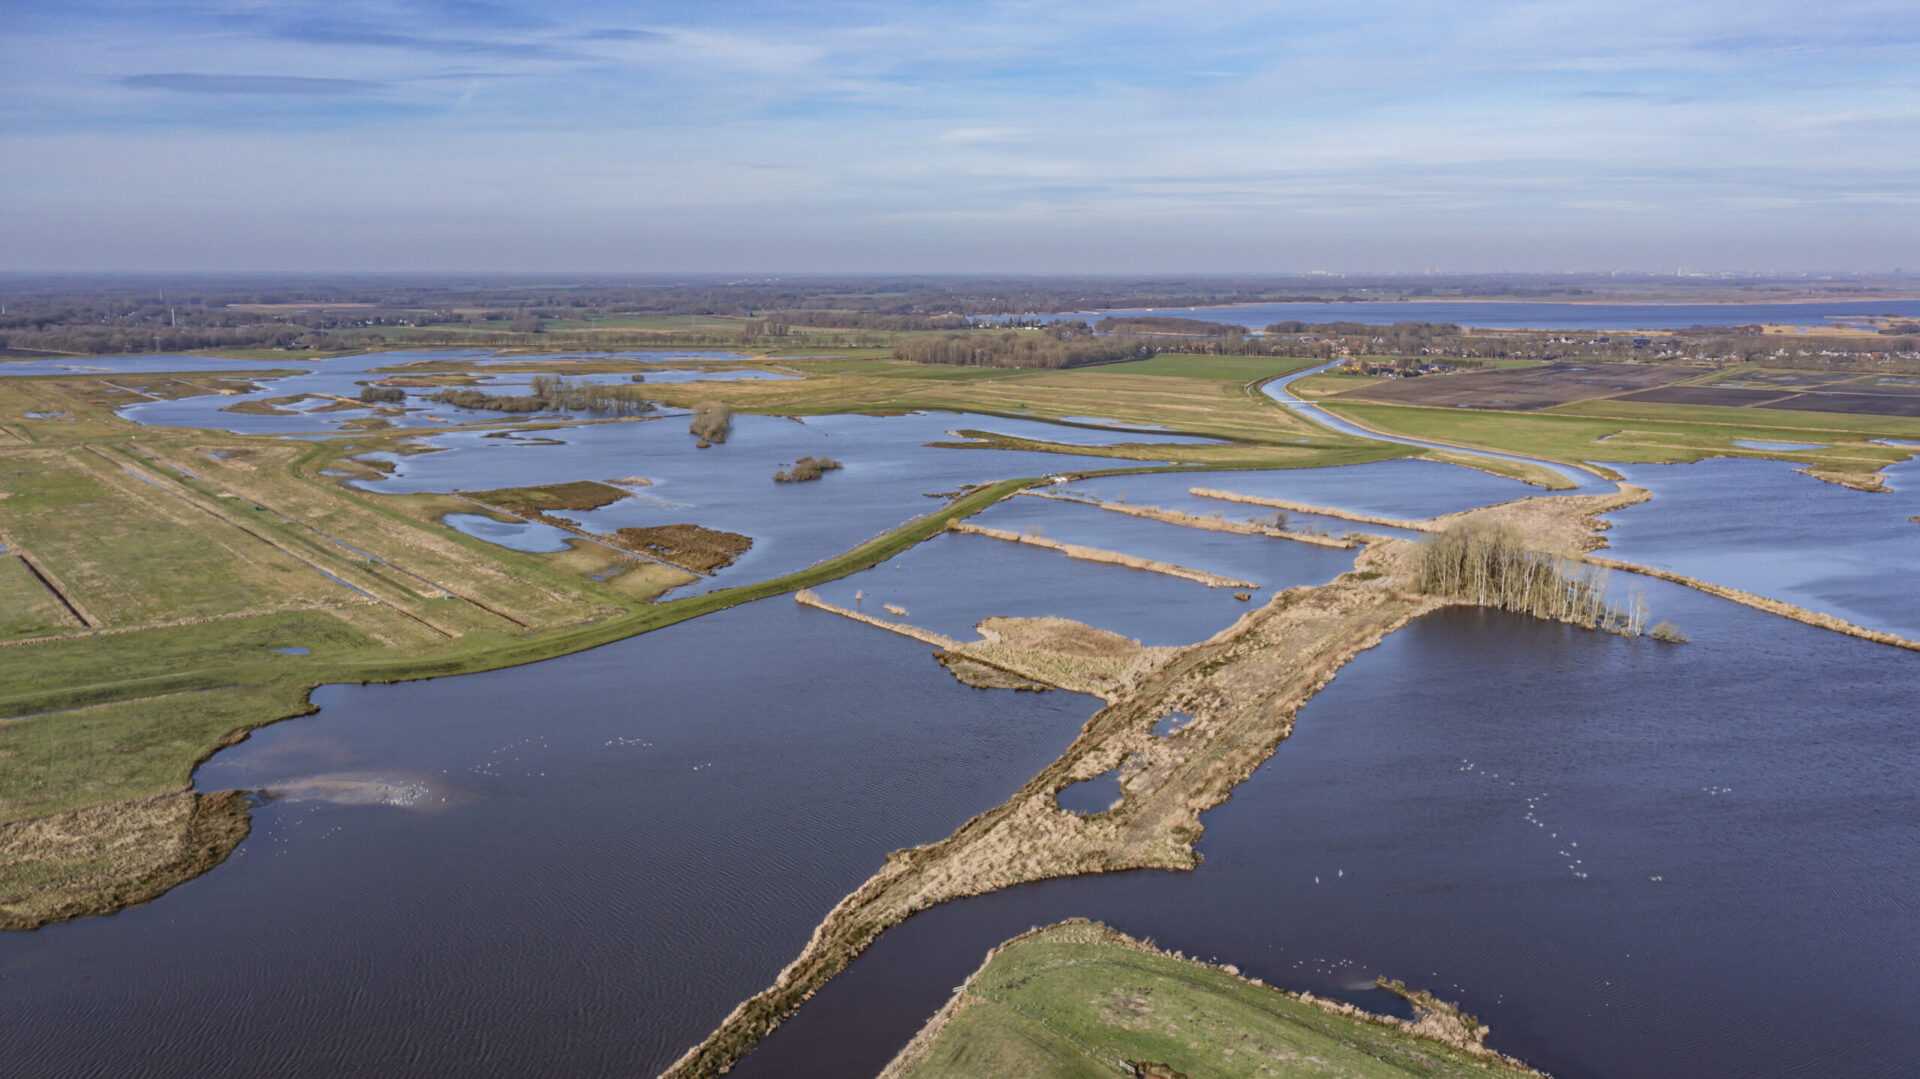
1243	686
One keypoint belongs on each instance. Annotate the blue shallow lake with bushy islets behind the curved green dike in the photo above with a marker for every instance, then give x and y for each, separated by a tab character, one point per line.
886	477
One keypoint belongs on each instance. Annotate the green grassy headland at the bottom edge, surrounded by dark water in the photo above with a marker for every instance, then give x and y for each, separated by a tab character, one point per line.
1080	1001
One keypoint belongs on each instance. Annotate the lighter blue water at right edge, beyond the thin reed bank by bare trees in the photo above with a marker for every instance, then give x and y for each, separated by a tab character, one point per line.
1765	529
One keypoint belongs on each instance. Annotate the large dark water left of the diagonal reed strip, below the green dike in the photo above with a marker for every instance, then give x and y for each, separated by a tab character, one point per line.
567	869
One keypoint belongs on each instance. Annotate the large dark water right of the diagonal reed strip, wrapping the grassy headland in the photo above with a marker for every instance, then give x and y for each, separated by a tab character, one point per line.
1633	861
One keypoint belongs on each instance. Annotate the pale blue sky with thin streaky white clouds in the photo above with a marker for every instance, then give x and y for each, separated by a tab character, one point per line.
942	137
